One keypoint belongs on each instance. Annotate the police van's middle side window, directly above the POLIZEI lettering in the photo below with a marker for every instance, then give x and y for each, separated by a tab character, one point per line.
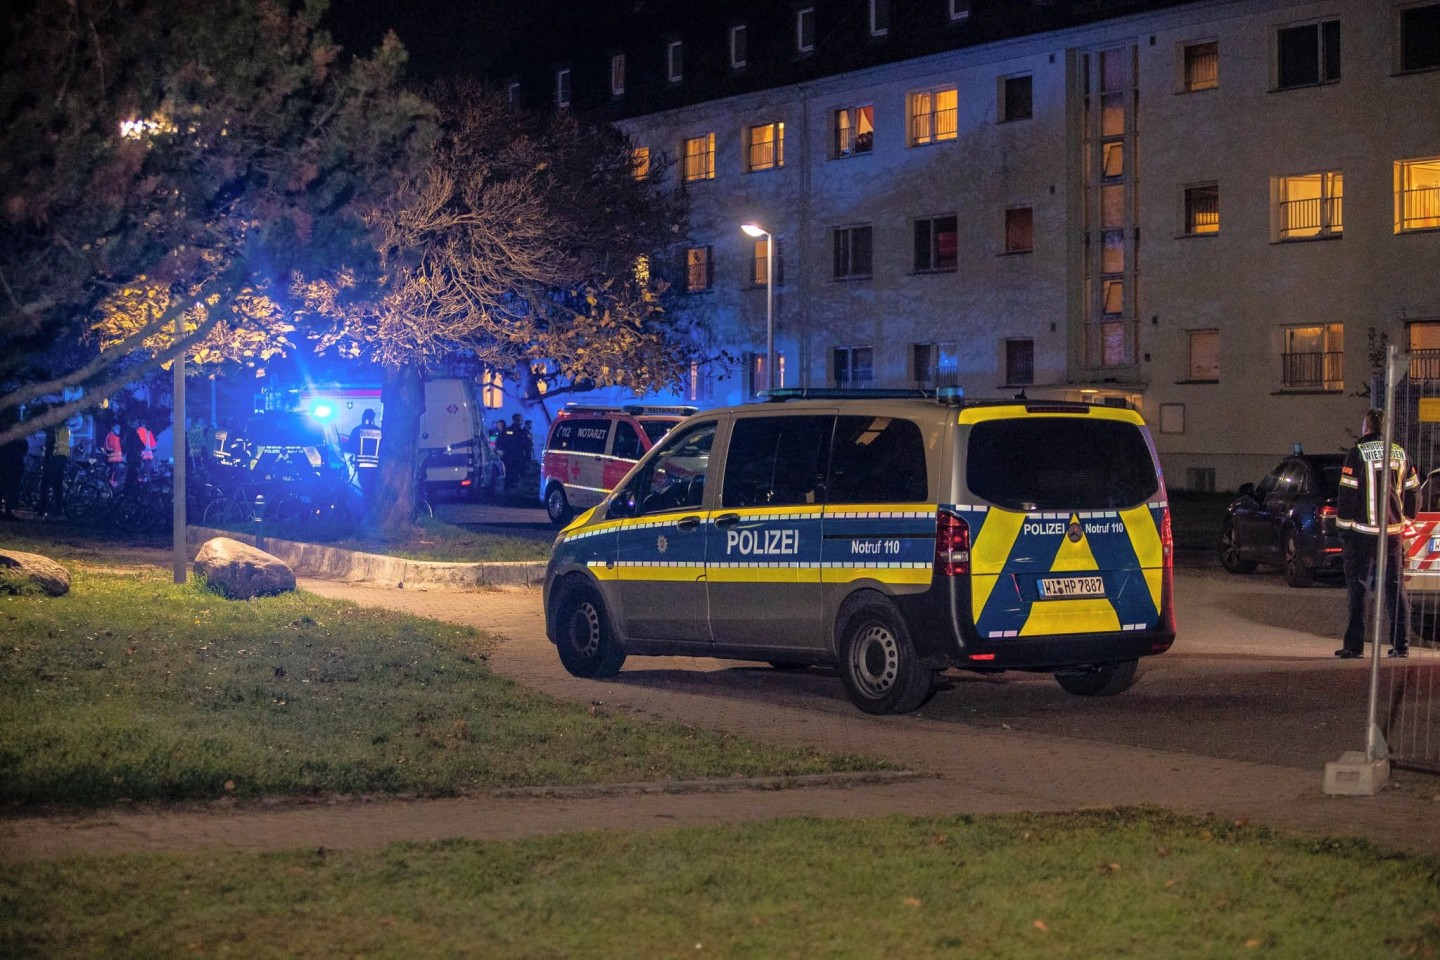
777	461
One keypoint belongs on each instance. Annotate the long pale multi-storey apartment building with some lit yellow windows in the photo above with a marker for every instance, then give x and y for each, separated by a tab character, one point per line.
1213	211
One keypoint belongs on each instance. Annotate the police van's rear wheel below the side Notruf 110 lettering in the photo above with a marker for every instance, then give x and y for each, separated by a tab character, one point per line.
879	664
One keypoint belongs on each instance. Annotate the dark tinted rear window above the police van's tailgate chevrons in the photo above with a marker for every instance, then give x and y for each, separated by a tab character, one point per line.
1061	464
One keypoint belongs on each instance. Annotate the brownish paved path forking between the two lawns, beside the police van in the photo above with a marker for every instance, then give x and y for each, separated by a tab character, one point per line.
966	769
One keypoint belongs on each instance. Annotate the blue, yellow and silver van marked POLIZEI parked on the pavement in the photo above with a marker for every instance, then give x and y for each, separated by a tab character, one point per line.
886	536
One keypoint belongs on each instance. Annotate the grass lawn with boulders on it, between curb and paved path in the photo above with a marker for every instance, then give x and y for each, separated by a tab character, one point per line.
133	687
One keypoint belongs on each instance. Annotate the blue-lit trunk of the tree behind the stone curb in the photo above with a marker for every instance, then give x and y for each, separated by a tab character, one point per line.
392	504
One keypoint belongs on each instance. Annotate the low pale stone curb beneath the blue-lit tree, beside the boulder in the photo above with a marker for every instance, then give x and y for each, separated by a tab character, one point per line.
332	563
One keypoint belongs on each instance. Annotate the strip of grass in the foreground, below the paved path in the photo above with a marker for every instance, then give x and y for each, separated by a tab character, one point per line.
1099	884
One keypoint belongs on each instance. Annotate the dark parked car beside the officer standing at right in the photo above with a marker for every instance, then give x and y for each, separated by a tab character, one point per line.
1287	520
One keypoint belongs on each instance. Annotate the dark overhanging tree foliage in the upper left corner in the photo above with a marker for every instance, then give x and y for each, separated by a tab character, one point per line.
166	159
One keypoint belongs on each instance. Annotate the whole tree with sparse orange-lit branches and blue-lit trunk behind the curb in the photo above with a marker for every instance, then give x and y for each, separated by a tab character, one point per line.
518	243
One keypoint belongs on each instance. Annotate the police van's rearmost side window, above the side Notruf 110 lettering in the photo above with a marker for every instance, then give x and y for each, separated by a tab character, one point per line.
878	461
